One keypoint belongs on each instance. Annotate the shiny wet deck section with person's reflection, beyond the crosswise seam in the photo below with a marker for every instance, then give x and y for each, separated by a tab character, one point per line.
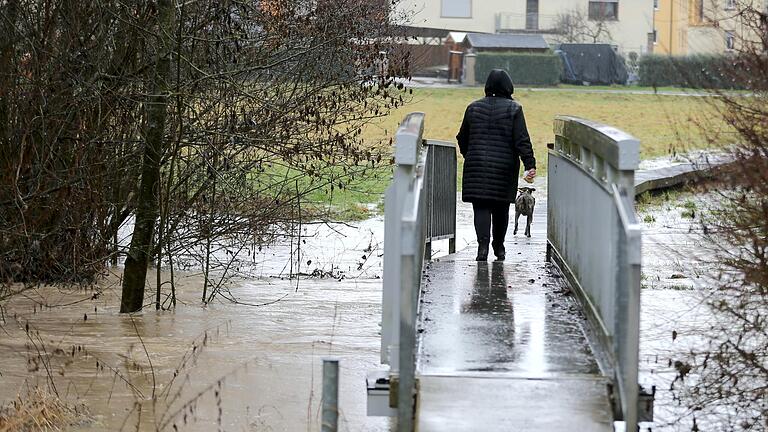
514	316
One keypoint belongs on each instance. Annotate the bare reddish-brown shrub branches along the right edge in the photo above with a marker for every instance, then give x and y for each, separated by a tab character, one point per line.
724	383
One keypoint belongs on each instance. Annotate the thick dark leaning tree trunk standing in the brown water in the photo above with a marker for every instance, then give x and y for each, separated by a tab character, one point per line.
147	201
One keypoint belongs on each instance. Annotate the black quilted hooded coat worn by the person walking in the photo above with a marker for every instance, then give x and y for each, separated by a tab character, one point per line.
493	139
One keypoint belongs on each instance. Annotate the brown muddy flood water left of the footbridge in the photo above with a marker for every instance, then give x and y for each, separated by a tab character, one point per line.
261	366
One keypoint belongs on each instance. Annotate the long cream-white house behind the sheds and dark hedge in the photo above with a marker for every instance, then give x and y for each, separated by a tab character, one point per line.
625	24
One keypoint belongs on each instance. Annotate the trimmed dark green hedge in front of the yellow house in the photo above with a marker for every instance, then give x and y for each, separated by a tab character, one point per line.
700	71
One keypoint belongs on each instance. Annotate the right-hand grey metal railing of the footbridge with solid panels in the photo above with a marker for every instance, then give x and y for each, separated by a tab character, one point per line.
595	239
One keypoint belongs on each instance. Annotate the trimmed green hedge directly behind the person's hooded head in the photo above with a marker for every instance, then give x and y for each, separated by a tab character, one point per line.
524	68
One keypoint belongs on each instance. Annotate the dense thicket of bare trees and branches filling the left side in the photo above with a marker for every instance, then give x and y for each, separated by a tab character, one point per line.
198	123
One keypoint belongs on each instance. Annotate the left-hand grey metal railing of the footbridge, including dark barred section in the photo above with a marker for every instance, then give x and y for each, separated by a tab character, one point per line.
420	206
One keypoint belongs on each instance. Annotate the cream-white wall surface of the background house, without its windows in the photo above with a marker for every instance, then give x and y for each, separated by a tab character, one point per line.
630	33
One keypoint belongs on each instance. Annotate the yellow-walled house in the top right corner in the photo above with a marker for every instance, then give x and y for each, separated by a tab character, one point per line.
685	27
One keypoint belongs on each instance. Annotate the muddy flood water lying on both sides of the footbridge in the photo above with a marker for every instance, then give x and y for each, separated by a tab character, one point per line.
258	368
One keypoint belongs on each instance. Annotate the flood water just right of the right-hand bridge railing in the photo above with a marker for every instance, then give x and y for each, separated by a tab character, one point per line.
674	311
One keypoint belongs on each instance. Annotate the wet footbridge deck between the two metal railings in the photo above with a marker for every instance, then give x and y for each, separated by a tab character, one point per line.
502	345
